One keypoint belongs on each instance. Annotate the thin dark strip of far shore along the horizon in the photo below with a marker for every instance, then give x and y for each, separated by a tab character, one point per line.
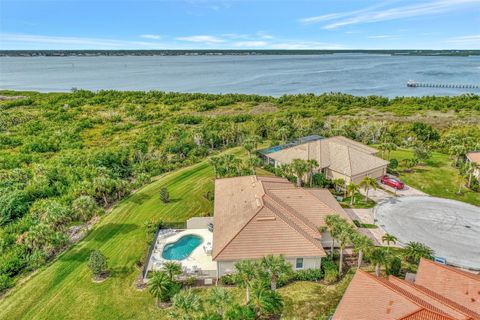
94	53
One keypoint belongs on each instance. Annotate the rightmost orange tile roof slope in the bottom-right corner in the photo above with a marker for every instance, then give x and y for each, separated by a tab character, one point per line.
456	285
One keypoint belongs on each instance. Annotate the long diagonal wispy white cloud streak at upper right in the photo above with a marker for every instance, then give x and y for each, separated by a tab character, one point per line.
373	14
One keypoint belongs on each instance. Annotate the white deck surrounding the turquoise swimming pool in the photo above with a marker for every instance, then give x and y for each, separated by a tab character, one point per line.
199	258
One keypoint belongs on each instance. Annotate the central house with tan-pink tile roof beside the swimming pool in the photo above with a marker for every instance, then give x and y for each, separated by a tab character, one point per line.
258	216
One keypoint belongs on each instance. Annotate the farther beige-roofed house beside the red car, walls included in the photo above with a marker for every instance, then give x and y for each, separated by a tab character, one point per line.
338	157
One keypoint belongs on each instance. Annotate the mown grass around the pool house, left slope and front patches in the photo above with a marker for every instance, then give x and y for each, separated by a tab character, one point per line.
64	290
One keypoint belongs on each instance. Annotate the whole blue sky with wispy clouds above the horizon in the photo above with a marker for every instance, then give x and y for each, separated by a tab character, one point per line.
240	24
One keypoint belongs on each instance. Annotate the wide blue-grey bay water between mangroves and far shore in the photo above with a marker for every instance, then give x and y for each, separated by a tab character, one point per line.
357	74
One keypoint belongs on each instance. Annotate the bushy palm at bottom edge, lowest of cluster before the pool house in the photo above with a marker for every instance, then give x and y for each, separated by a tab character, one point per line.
266	303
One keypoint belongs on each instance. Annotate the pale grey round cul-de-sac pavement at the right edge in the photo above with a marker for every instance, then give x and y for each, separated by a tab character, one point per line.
449	227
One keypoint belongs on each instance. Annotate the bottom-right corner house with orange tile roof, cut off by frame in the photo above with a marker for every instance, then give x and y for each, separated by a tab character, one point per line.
438	293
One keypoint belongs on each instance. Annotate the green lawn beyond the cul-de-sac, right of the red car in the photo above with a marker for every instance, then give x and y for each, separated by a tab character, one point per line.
436	177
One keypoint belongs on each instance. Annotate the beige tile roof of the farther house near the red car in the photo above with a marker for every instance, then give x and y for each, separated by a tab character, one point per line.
340	154
